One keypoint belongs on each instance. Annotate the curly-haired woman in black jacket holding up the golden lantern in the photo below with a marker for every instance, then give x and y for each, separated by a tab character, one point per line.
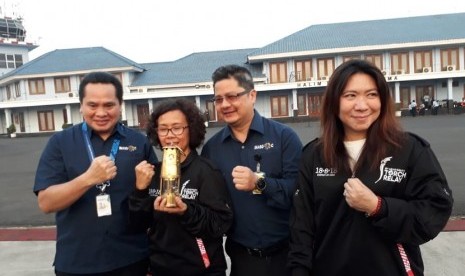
186	239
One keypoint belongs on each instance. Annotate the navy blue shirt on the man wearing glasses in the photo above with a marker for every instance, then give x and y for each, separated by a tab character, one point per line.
259	220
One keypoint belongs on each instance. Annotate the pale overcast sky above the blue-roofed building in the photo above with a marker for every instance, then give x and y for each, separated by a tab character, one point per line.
165	30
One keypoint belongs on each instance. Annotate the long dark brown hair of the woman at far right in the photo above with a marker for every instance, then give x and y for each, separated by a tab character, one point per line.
383	135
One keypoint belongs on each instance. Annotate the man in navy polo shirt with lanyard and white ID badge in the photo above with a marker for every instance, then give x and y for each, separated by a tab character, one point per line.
85	175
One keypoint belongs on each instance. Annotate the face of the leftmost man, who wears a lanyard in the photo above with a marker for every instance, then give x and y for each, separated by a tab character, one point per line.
100	108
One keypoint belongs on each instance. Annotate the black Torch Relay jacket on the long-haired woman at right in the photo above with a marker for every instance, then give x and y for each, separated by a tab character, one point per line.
330	238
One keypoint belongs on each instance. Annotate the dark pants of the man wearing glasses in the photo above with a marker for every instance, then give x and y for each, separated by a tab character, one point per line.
246	262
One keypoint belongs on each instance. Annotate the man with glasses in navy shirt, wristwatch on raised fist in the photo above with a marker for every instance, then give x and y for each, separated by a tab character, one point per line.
259	160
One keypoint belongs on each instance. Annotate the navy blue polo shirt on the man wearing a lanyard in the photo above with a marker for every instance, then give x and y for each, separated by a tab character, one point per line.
87	243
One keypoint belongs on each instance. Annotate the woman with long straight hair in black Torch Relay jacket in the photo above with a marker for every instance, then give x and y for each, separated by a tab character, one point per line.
368	193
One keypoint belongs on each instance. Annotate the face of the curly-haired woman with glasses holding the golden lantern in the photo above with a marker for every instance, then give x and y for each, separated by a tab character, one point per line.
174	119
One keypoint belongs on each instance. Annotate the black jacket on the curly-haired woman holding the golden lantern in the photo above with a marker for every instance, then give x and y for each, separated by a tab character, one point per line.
173	244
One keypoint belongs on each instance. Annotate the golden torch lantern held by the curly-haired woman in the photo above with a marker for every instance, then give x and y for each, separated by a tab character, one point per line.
170	174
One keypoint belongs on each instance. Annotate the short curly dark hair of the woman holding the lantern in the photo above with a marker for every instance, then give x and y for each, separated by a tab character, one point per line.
194	117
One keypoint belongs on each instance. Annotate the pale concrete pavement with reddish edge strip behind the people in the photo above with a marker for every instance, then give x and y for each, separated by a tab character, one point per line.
30	251
